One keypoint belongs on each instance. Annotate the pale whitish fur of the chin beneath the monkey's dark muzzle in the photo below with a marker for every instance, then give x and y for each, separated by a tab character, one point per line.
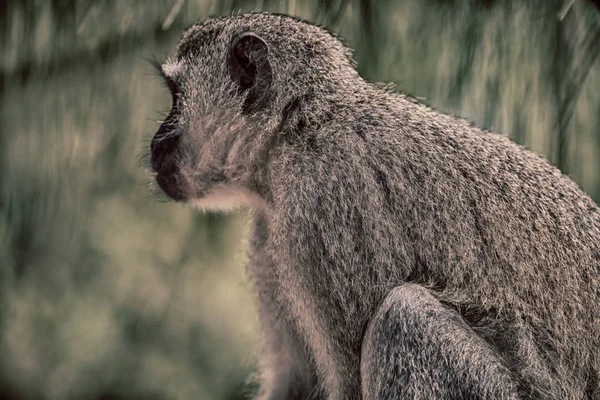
225	198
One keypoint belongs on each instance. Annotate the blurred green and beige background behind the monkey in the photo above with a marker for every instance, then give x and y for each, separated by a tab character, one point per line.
106	292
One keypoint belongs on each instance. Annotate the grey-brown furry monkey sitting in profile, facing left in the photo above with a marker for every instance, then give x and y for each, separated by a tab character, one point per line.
396	252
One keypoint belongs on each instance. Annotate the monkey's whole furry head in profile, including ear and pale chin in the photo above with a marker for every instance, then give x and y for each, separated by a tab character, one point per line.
238	84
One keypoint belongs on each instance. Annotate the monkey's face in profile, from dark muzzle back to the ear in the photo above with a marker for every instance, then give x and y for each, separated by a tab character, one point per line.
209	143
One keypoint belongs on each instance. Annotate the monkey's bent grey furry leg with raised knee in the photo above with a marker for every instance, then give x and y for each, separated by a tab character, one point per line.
415	348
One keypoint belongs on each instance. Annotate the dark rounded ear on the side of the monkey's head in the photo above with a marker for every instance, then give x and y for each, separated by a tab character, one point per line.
250	68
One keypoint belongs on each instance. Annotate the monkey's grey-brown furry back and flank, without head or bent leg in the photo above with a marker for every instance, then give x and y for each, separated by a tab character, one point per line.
390	191
